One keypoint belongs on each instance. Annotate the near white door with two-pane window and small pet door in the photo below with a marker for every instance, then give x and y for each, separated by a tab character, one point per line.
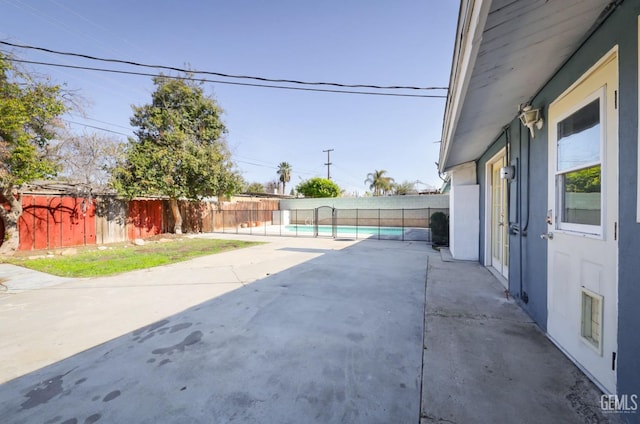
582	286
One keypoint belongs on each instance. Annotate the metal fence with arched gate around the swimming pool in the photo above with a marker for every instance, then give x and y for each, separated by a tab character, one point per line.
326	221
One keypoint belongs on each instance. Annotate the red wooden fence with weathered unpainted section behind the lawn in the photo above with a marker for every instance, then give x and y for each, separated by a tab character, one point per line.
52	221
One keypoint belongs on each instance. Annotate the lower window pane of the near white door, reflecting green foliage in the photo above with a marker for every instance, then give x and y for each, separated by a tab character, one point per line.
581	196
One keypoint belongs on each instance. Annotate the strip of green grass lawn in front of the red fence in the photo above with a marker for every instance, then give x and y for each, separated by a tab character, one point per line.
91	262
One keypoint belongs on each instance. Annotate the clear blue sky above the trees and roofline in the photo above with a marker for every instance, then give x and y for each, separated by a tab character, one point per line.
399	42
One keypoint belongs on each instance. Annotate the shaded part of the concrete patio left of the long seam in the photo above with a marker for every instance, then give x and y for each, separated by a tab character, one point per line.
335	339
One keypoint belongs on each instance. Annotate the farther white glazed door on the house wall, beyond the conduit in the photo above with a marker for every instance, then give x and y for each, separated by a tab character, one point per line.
499	224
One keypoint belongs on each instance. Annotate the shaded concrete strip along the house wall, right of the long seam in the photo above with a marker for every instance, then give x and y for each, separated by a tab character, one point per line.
485	361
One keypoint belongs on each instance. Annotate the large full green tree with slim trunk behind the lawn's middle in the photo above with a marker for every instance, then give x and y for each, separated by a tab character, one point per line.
179	150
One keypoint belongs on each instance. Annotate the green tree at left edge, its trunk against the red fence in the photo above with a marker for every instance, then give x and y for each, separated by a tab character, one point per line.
29	115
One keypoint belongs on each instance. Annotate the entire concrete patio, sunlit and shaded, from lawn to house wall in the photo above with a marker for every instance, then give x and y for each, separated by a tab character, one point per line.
296	330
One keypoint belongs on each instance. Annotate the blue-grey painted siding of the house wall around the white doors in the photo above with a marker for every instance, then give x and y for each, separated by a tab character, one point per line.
528	253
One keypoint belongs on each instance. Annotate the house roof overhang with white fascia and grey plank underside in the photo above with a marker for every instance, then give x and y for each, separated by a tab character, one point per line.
505	52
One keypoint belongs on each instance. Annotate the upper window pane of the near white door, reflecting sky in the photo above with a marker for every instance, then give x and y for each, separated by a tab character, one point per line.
579	137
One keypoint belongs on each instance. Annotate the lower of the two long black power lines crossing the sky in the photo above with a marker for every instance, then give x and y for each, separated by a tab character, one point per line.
146	74
